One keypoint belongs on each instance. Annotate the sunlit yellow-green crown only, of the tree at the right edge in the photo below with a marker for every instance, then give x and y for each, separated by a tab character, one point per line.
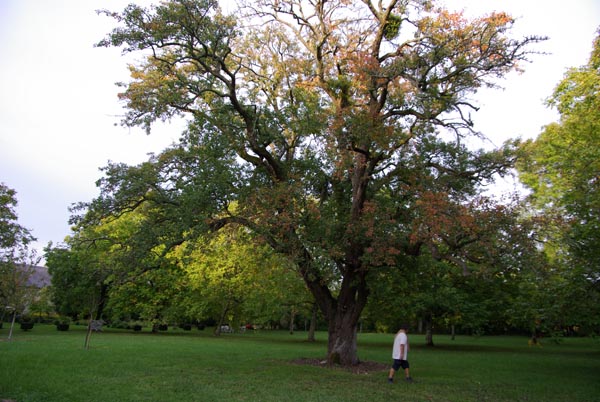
563	163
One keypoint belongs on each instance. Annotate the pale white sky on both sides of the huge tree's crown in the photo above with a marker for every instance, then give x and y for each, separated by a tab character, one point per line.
59	112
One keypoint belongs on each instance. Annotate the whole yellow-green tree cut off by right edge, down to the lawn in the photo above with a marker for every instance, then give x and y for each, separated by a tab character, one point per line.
562	168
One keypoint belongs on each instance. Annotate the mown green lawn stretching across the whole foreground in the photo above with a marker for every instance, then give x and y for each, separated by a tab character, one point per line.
47	365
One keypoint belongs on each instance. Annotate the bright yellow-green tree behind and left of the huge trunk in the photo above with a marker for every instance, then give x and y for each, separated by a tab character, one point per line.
237	281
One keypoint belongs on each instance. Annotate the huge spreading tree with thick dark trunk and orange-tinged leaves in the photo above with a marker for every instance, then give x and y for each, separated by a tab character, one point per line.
335	126
